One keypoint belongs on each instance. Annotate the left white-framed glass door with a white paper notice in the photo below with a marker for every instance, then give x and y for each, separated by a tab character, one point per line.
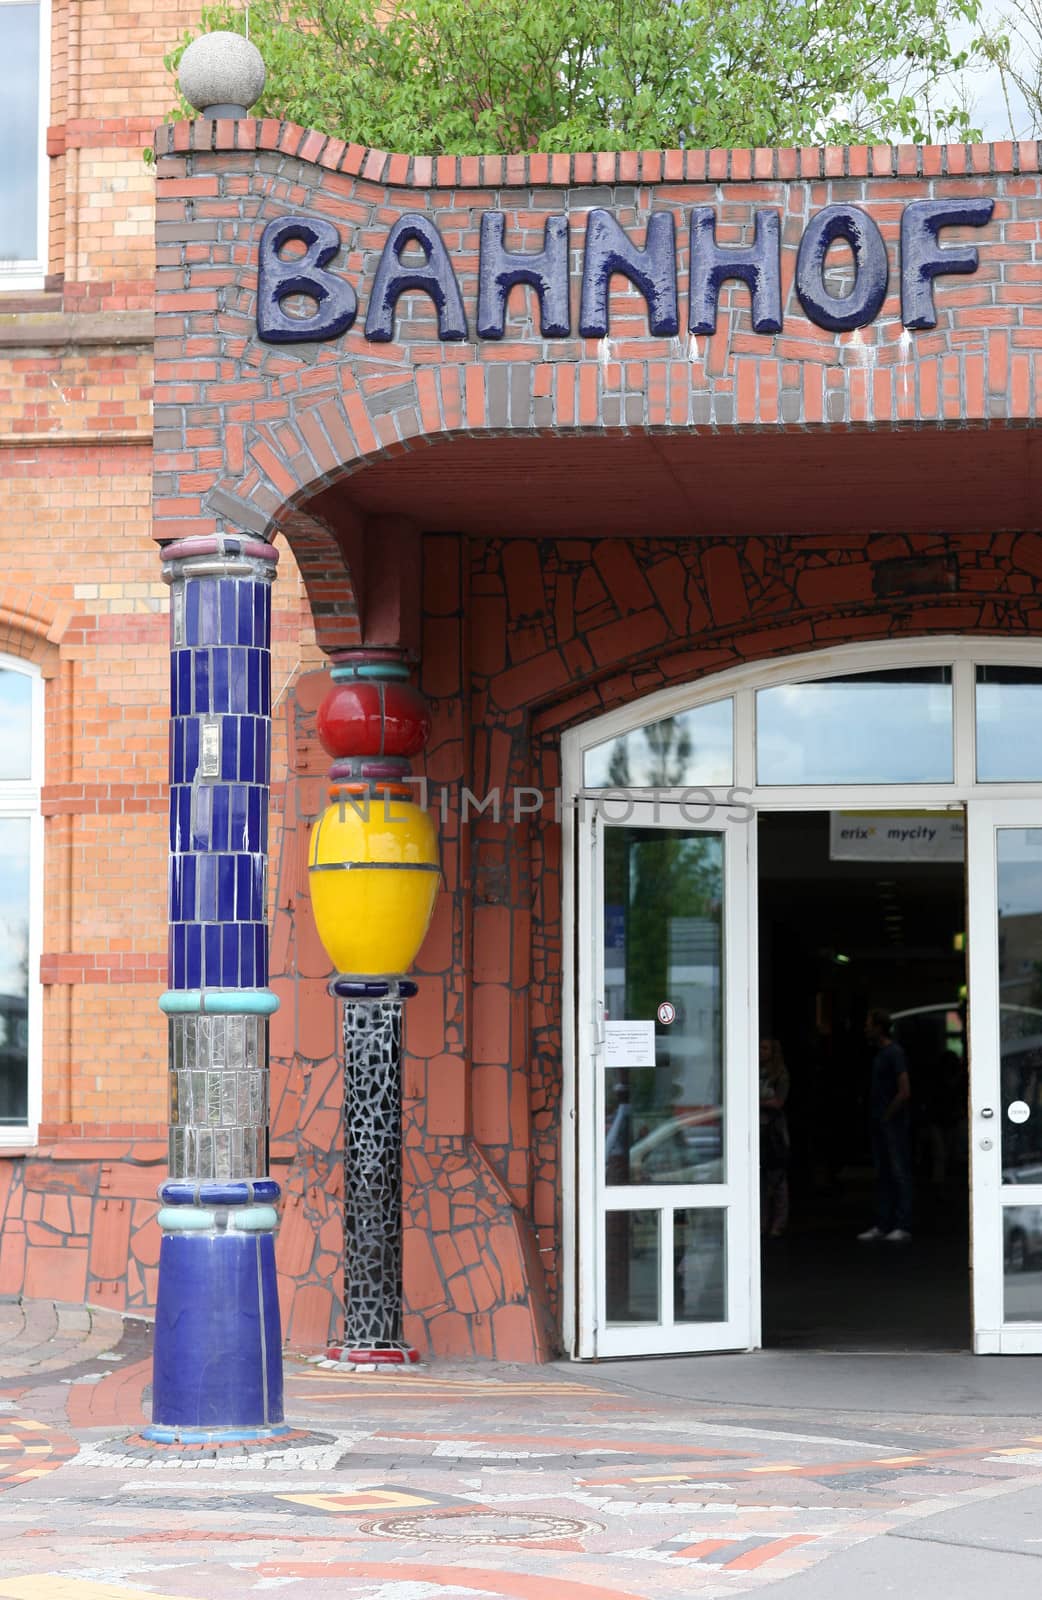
667	1137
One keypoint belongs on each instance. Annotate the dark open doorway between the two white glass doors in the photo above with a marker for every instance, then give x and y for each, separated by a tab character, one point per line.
860	913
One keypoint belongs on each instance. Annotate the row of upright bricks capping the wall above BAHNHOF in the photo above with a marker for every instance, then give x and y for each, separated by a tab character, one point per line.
607	167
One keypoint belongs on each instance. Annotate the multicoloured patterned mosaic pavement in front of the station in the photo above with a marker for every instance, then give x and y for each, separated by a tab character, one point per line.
455	1482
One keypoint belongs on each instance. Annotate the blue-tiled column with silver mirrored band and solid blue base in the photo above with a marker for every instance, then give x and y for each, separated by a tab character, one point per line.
218	1340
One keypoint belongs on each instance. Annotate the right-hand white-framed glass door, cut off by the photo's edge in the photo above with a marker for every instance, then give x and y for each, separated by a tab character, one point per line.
1006	1074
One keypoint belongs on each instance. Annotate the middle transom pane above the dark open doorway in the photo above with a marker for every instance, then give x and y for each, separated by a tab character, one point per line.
865	729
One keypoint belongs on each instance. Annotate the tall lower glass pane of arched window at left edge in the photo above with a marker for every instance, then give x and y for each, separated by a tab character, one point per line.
14	969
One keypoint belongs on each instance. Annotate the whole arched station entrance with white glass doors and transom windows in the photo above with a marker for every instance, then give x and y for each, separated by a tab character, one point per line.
673	982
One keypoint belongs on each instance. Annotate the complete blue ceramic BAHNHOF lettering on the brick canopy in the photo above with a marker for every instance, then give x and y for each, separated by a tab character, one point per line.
609	250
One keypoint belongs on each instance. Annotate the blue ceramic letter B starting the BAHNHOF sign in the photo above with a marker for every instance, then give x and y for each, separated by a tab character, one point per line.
337	302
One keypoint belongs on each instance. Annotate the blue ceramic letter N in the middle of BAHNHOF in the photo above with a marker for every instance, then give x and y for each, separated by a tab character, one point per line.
654	271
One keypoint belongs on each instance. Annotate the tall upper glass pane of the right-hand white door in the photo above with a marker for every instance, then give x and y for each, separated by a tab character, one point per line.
1020	1002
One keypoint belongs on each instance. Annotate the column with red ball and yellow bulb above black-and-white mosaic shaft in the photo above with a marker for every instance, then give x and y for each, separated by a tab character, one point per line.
374	884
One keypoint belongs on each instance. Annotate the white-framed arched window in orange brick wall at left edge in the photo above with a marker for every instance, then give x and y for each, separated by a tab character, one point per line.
22	774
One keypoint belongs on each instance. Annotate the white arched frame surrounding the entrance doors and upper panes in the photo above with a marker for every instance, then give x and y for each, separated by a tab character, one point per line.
742	684
